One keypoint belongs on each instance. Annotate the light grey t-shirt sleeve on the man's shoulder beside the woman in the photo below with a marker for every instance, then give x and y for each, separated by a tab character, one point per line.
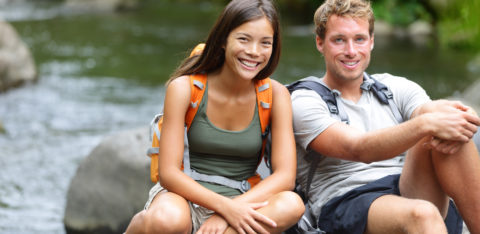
310	116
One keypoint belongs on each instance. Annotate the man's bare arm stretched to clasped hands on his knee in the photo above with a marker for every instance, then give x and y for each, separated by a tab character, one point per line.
446	120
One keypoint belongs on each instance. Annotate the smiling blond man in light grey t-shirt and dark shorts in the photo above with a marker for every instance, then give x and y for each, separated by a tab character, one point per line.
363	180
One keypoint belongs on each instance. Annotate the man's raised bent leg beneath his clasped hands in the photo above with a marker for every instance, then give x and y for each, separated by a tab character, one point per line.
434	176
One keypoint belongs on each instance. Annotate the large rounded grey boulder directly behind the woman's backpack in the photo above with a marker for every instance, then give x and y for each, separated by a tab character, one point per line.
110	185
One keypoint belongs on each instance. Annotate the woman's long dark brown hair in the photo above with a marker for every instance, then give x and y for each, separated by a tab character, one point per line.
236	13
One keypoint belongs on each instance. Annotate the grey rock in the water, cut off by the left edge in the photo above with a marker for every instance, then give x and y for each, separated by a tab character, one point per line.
16	62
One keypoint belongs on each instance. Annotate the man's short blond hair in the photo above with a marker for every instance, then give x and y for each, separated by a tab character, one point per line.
353	8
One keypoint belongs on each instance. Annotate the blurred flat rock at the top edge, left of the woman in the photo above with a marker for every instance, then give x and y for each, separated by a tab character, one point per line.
101	5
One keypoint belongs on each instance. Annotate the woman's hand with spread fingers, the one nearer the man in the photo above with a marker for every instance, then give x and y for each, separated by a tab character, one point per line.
244	218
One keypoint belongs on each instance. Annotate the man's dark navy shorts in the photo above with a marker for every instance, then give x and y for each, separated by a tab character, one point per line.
348	213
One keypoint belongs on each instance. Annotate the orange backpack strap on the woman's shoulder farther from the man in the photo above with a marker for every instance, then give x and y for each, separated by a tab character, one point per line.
198	83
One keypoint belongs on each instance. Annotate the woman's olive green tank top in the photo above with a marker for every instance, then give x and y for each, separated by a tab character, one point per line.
215	151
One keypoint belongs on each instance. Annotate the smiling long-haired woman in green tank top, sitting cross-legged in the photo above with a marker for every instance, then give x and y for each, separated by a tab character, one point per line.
242	47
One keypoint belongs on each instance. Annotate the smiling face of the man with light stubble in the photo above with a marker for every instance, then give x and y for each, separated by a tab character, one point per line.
346	47
